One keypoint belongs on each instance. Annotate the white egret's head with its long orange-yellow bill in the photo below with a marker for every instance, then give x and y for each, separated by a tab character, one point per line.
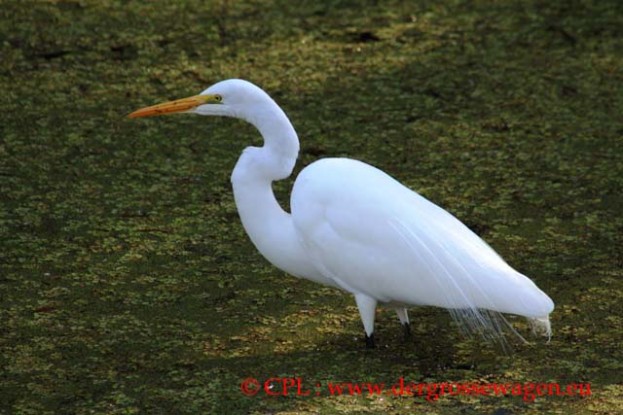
233	98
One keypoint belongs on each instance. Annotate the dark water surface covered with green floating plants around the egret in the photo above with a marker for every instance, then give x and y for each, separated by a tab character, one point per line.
127	284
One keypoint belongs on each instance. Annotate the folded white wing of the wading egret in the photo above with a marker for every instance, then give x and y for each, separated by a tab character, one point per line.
372	235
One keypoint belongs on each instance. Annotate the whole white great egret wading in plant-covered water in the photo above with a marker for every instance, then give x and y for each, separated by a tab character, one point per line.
356	228
